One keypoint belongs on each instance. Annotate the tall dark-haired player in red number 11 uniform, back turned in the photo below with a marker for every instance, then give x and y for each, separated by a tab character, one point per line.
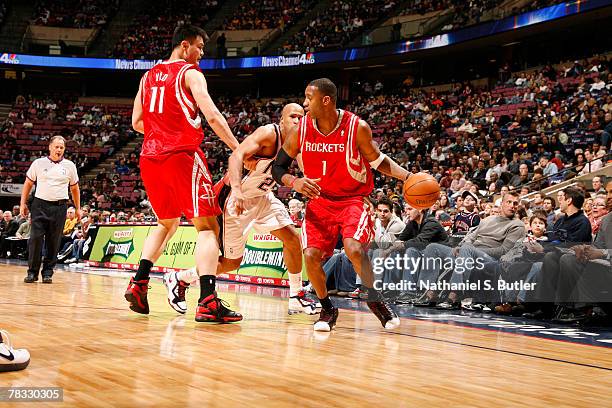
174	169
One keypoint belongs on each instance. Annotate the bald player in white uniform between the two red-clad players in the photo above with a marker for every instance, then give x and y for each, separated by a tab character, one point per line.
247	202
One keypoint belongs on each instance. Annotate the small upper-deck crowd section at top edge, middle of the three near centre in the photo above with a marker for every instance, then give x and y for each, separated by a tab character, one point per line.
266	14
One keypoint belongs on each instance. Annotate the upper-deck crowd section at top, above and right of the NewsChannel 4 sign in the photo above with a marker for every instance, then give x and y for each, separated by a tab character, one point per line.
337	25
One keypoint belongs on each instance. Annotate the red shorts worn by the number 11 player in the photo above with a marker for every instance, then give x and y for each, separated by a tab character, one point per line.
179	183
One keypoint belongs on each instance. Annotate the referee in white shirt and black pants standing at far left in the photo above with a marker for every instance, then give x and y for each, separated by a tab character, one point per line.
52	175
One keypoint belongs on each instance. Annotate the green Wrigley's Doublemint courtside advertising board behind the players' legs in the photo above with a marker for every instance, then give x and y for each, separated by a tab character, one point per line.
120	247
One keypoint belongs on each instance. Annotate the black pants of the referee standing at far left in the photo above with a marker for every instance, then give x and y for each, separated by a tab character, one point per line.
48	218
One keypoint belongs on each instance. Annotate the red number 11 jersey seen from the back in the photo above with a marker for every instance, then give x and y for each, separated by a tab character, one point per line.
170	114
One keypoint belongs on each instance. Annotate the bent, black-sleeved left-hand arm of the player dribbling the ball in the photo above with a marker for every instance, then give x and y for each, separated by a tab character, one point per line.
280	168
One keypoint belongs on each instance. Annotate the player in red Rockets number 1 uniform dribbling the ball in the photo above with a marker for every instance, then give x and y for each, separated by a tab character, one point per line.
337	153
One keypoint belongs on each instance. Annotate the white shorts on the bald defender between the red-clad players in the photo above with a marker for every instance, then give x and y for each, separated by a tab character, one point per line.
264	214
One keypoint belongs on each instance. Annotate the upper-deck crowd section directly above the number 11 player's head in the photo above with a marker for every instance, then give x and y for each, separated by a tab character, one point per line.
149	36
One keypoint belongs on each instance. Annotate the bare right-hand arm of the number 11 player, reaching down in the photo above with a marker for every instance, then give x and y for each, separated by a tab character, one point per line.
196	83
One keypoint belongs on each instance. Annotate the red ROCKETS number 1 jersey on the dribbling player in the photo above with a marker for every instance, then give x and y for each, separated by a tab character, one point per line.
335	158
